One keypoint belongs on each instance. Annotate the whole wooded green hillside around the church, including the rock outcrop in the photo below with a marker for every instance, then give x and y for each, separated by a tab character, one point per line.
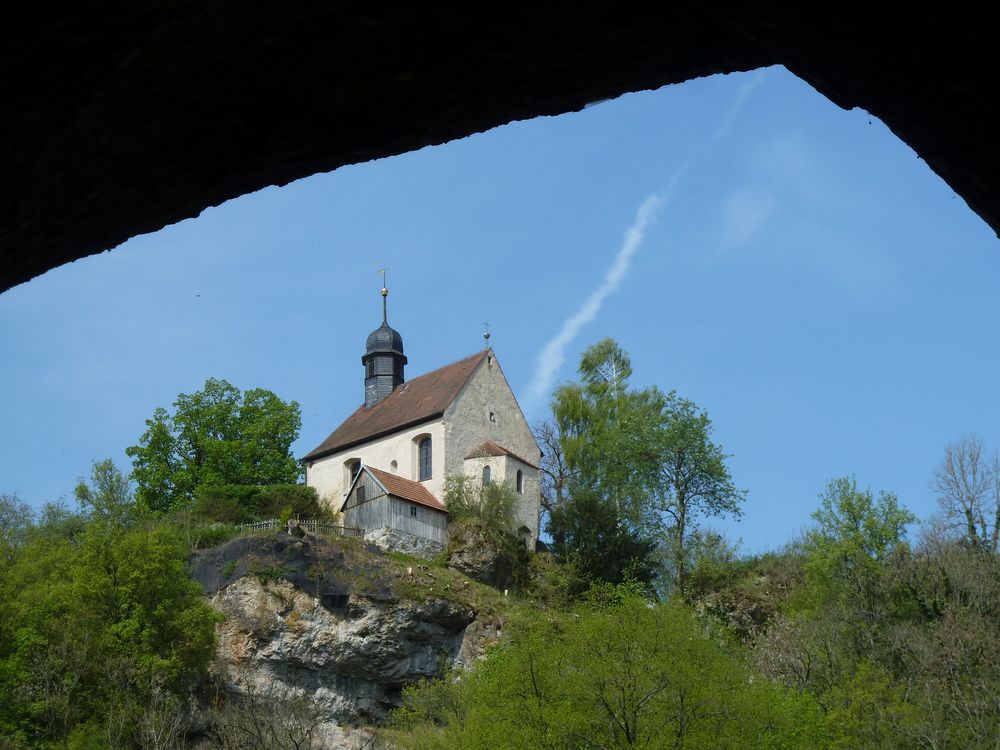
129	623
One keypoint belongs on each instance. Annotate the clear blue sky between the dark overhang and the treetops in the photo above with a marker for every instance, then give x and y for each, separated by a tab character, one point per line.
798	272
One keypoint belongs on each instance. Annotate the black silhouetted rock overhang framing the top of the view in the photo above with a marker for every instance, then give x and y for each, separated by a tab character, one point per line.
119	119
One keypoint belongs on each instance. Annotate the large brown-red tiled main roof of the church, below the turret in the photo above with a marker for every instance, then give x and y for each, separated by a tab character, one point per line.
411	403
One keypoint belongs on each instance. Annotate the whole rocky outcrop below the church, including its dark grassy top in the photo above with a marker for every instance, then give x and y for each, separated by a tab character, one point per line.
336	623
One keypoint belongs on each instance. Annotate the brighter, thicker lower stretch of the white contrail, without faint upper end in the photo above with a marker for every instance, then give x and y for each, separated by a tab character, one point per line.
554	353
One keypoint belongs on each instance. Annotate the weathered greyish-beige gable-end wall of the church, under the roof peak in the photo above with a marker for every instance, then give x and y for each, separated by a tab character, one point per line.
467	424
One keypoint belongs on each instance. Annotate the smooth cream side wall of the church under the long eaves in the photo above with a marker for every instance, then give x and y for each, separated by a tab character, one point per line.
330	479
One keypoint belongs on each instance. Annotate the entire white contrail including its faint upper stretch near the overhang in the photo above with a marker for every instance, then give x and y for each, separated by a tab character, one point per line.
552	356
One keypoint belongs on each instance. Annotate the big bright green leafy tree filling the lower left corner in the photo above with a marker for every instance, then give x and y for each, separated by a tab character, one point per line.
96	629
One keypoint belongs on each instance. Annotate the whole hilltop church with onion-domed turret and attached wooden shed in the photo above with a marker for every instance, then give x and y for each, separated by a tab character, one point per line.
384	467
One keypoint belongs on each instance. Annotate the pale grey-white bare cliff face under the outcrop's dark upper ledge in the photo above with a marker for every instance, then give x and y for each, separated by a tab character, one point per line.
351	664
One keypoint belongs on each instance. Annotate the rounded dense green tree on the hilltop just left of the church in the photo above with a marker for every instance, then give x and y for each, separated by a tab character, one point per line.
216	436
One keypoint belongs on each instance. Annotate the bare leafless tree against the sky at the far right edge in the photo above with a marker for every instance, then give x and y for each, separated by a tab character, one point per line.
968	485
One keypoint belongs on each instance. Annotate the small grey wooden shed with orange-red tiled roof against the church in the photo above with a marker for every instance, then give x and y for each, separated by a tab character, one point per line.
377	499
